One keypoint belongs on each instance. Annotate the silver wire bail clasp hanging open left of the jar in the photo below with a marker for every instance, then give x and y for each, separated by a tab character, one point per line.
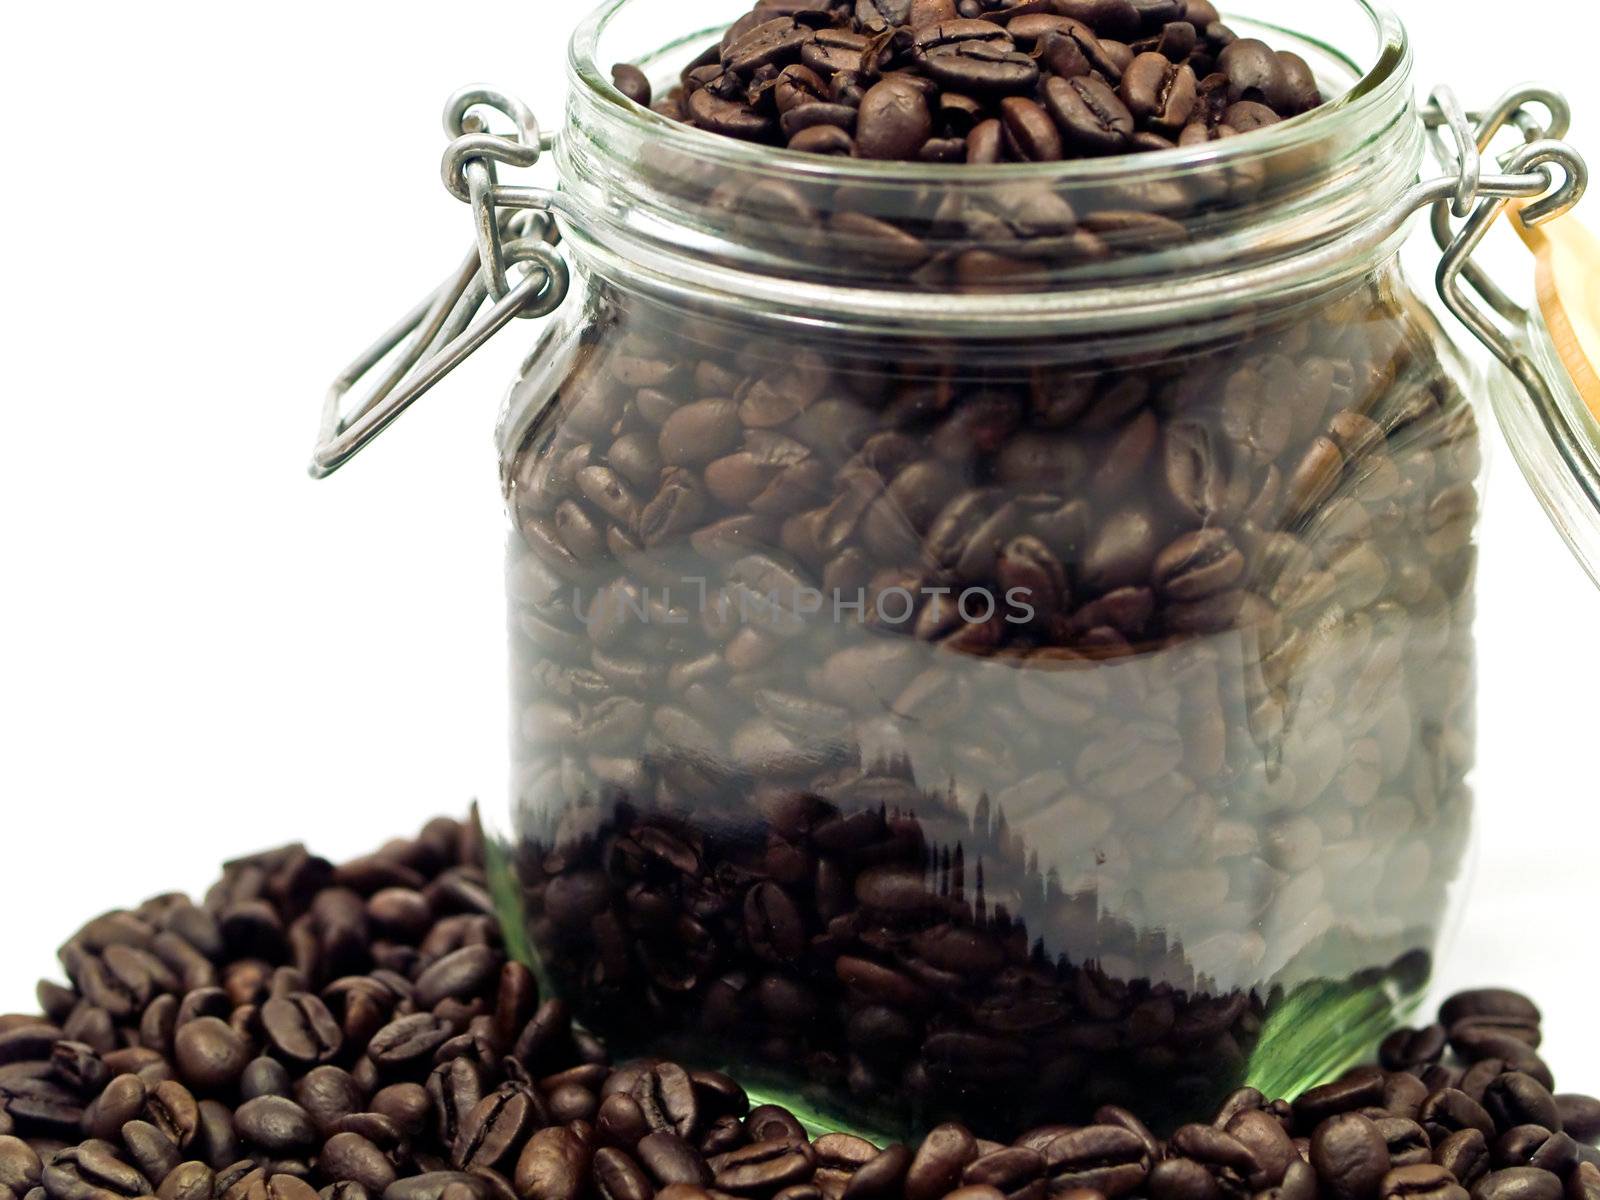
513	226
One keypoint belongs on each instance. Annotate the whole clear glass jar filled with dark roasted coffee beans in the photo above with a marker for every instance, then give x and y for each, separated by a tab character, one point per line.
996	641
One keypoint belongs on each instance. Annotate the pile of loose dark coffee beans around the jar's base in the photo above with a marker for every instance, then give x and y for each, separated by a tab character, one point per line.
358	1031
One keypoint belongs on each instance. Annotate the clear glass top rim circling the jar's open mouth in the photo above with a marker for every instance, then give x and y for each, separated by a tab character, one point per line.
1372	89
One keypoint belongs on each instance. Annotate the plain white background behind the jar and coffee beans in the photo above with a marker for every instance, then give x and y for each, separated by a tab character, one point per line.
209	209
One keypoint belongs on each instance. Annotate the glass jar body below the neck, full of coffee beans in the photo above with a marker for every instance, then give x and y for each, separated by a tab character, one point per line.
991	729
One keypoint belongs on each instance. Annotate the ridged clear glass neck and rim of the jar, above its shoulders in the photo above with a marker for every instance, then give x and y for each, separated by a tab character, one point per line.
1193	236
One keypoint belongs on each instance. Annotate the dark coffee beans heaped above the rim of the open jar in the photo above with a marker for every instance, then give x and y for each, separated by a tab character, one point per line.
983	81
